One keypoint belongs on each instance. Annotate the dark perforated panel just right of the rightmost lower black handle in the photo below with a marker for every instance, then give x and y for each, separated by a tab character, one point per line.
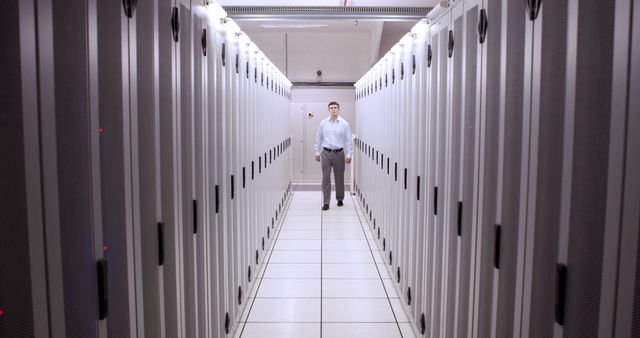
590	166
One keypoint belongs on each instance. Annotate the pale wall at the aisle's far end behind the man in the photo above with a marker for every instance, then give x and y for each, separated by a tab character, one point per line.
303	129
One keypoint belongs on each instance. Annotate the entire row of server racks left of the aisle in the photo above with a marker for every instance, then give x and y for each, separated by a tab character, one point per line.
148	164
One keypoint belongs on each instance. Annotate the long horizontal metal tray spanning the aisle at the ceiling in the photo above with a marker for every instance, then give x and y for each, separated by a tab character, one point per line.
326	12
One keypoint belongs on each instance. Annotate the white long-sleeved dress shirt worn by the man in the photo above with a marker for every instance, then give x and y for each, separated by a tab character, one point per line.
334	135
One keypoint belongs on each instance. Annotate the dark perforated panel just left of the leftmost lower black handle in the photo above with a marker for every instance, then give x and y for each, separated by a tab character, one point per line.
74	168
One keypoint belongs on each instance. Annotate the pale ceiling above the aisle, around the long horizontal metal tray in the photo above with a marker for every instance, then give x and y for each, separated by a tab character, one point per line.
270	34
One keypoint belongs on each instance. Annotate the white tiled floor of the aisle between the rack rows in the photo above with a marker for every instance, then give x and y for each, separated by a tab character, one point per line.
322	279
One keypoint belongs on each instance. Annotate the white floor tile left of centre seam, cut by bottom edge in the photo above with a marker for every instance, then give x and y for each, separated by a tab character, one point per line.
281	330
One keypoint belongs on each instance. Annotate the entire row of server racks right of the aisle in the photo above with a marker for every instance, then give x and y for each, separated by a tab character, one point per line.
494	149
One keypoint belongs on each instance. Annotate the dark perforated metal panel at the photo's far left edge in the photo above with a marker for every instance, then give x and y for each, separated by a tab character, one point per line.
15	275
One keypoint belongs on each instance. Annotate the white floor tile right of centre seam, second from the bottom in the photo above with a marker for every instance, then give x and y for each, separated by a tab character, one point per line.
357	310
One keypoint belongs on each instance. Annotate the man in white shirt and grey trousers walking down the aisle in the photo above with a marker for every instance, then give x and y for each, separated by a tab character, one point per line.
334	147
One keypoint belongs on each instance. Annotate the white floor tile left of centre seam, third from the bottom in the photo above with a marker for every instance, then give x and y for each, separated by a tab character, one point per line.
289	288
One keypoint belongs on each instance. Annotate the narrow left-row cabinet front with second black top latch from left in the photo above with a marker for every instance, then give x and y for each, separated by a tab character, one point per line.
171	156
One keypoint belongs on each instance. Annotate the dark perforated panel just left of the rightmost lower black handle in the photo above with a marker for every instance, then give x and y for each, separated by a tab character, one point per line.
552	91
